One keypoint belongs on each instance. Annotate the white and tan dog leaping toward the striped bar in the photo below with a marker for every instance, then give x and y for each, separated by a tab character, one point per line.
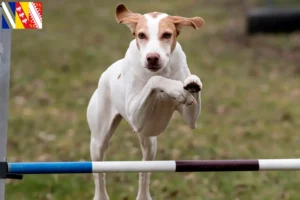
145	88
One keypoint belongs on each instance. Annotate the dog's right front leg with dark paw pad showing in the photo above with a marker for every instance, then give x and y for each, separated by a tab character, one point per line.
191	113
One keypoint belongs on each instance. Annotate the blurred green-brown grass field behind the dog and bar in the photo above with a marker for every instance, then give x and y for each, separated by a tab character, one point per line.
250	101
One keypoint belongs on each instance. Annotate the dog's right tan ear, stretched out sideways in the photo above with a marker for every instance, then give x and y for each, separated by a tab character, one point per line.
179	22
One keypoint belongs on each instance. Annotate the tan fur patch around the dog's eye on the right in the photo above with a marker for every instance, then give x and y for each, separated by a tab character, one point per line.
167	25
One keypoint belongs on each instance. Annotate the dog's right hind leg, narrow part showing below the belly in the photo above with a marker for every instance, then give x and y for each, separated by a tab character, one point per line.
148	146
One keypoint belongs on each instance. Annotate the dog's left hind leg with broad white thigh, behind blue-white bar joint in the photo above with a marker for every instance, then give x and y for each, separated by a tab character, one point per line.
103	119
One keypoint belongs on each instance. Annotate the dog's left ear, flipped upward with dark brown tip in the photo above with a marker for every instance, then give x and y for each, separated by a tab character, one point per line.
125	16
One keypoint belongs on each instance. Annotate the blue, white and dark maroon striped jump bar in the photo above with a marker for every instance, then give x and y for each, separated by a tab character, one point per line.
152	166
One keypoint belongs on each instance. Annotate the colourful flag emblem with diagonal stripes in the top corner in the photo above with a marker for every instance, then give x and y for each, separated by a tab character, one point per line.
22	15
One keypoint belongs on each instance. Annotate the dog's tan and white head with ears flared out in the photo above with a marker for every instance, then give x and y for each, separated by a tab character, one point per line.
155	34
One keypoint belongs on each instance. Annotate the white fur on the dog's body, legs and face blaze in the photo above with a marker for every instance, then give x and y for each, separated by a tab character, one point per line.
145	99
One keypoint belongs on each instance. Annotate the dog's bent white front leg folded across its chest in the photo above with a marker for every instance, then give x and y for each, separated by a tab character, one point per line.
140	105
